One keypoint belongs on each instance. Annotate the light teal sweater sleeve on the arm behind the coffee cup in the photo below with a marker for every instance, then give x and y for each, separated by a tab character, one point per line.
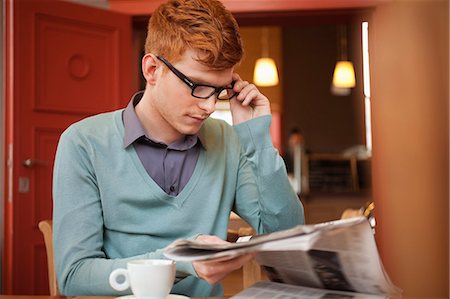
82	268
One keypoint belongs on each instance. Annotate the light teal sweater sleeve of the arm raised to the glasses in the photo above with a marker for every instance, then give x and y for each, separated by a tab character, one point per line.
264	198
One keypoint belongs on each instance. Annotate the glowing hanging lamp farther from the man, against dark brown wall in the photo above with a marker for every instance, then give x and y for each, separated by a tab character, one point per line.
344	73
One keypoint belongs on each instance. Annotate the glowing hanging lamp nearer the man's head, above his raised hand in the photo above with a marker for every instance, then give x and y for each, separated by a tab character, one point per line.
265	73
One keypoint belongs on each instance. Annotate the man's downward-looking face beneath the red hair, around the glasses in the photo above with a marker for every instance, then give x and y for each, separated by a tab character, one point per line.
179	112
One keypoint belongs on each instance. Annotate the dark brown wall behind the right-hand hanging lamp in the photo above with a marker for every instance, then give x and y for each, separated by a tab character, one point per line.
329	123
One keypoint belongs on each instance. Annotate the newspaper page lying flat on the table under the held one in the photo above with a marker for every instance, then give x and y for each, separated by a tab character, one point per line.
273	290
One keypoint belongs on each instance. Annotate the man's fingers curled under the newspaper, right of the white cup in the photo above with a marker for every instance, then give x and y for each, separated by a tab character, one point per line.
214	271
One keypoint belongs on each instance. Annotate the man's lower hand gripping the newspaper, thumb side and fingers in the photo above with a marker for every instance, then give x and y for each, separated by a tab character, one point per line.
215	270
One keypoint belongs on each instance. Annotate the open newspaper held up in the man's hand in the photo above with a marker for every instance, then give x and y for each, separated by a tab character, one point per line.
338	255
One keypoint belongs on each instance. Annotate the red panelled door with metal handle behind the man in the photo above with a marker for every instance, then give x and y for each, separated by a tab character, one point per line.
63	62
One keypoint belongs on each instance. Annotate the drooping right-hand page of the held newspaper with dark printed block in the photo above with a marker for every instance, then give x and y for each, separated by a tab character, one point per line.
344	259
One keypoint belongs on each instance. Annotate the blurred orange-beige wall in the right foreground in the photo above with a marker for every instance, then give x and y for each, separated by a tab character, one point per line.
410	106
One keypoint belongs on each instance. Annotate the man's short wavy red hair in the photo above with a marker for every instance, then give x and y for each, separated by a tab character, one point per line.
203	25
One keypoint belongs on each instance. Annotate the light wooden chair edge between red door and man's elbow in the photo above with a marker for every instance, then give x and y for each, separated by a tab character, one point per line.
46	227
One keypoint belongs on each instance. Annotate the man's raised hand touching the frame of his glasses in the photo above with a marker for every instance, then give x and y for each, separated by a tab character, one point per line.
249	103
